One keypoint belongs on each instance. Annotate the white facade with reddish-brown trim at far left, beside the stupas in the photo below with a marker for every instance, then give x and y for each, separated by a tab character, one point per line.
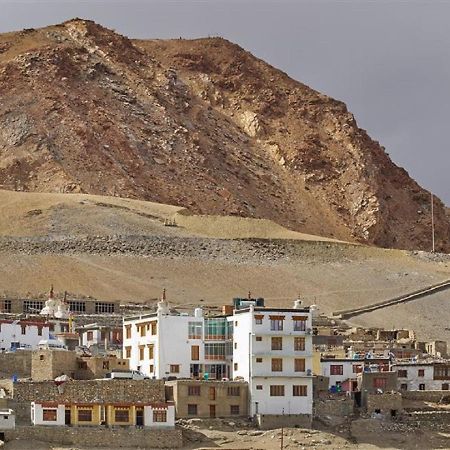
22	333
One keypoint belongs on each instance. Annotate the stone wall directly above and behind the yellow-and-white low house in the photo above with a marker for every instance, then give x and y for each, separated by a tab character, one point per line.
85	391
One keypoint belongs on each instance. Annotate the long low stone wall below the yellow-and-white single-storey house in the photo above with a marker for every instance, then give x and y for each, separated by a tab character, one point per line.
99	437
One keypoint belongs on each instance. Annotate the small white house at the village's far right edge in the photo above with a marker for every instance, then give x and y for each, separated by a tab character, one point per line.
432	376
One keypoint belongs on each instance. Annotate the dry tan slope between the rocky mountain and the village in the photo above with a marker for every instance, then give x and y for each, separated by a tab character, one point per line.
334	276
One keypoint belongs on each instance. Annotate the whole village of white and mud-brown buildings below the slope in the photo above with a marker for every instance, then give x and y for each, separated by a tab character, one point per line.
92	370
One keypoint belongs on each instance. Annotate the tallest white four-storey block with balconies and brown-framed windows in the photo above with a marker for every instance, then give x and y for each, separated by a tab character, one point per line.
265	349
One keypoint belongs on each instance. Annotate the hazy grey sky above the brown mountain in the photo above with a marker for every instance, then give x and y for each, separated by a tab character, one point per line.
389	61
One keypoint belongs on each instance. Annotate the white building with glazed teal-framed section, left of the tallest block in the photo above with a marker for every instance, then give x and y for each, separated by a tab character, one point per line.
167	345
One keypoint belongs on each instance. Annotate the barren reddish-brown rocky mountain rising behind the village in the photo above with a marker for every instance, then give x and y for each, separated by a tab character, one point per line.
201	124
